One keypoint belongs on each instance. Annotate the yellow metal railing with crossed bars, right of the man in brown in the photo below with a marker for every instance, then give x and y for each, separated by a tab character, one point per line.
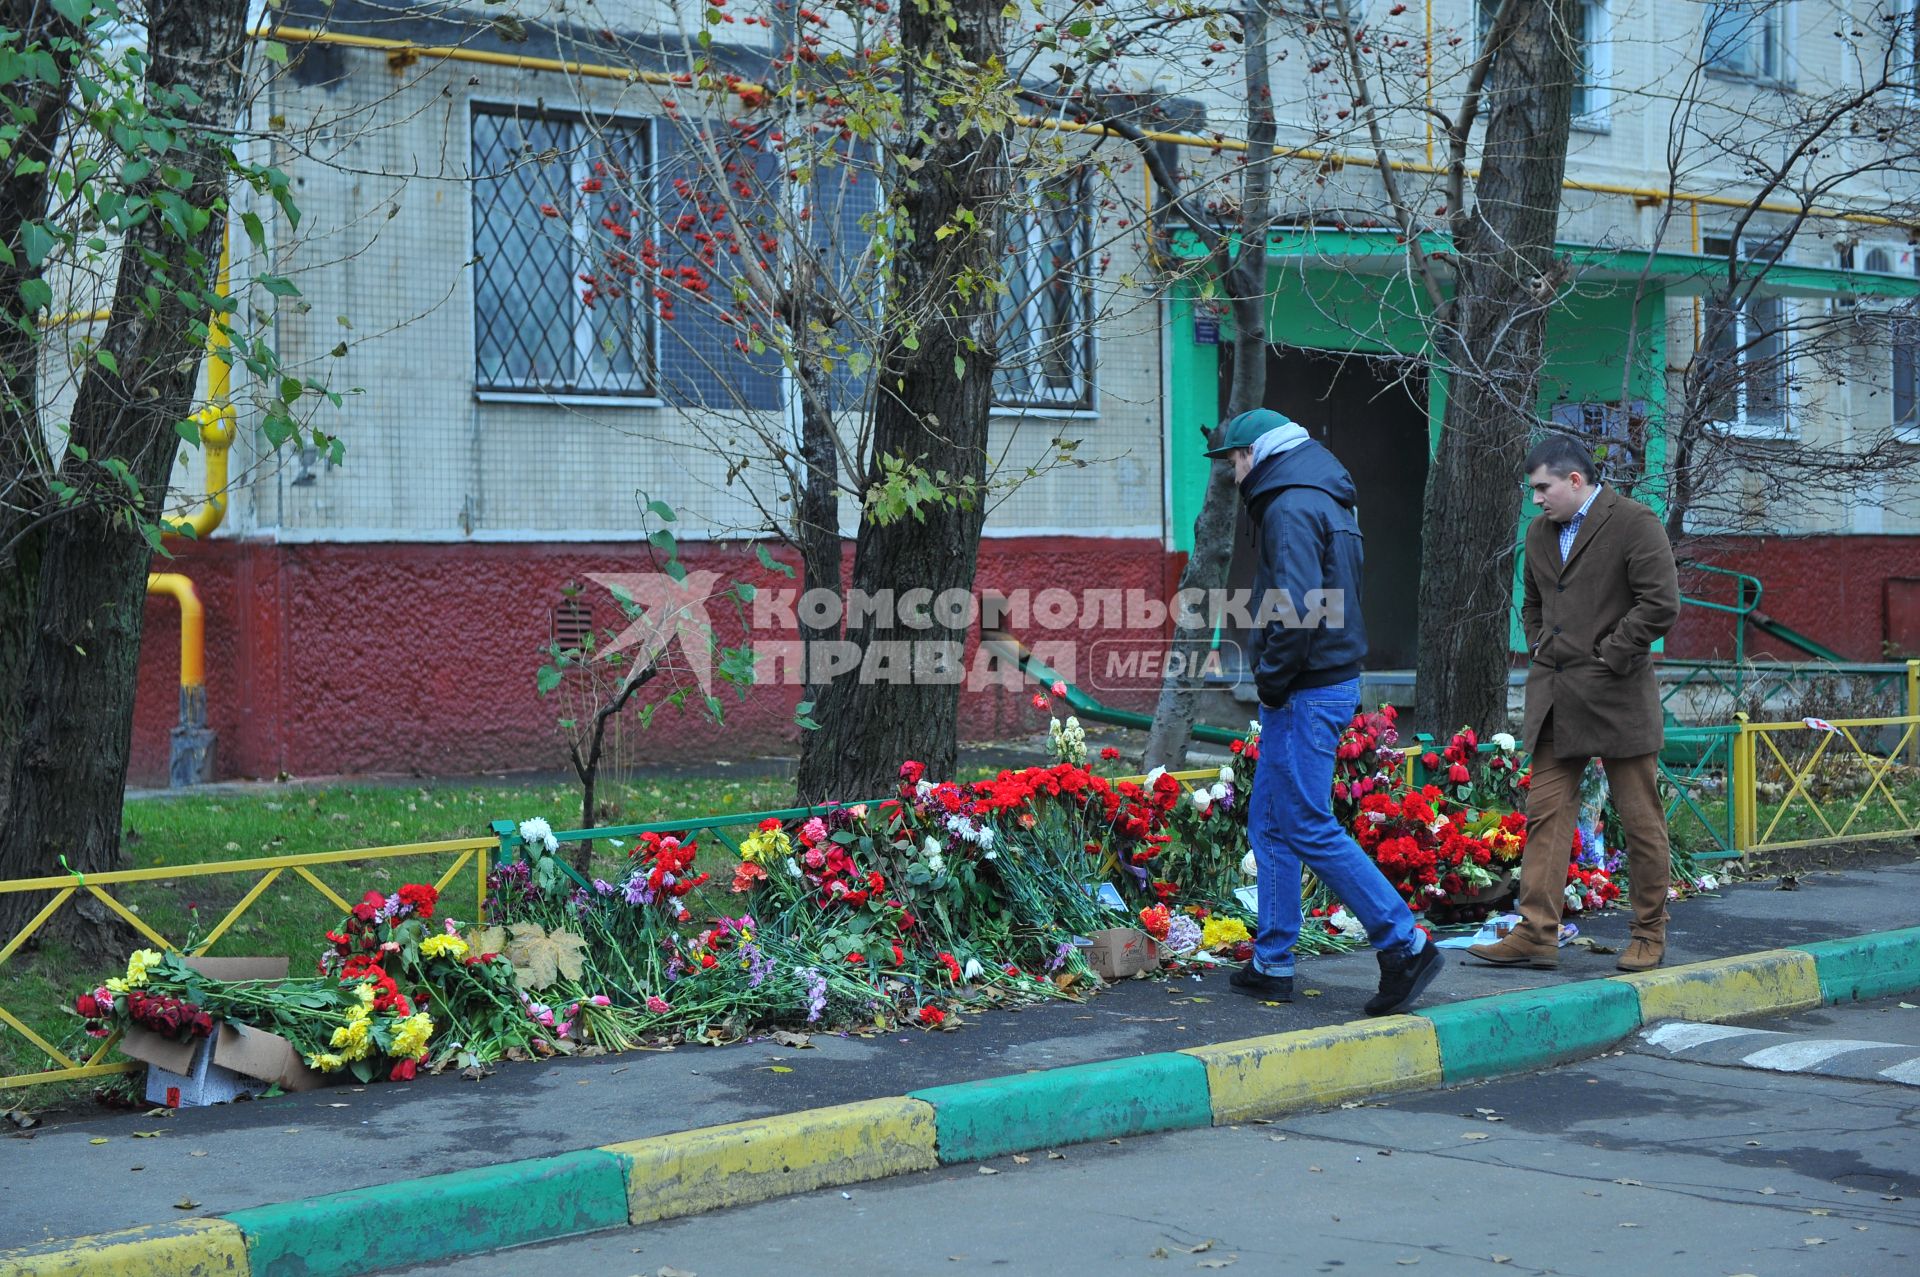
1819	754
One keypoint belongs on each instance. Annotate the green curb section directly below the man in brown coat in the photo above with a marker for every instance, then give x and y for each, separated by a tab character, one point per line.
1531	1028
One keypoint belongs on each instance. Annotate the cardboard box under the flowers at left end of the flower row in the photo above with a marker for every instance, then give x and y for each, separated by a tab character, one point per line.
231	1063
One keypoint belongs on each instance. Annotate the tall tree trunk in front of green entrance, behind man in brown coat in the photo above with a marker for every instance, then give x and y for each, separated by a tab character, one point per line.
1493	343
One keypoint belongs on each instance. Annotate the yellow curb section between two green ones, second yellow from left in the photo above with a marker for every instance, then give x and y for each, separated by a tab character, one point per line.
769	1157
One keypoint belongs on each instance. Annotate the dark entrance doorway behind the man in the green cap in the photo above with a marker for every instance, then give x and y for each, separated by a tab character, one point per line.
1372	414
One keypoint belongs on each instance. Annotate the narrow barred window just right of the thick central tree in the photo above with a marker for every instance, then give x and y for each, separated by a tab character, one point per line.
1047	312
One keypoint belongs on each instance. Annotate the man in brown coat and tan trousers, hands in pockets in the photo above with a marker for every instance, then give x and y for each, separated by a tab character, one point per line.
1598	592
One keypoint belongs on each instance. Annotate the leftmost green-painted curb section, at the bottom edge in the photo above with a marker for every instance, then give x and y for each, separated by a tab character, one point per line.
435	1218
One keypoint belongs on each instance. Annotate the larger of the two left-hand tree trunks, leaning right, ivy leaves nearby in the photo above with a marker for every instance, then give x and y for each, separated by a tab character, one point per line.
68	773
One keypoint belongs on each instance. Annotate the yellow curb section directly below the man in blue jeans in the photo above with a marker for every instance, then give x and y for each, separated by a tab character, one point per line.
1312	1069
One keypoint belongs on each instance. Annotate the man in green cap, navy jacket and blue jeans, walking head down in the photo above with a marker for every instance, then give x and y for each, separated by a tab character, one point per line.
1307	667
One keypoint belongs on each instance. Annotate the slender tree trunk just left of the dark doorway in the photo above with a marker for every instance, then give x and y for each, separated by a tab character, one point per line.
1247	289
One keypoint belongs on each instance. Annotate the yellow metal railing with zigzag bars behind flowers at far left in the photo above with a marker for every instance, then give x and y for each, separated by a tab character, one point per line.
68	886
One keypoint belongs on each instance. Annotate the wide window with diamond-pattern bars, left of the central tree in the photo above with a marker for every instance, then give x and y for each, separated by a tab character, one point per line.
560	222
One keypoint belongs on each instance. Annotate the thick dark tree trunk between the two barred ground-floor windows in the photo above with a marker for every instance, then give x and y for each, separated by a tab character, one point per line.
936	377
